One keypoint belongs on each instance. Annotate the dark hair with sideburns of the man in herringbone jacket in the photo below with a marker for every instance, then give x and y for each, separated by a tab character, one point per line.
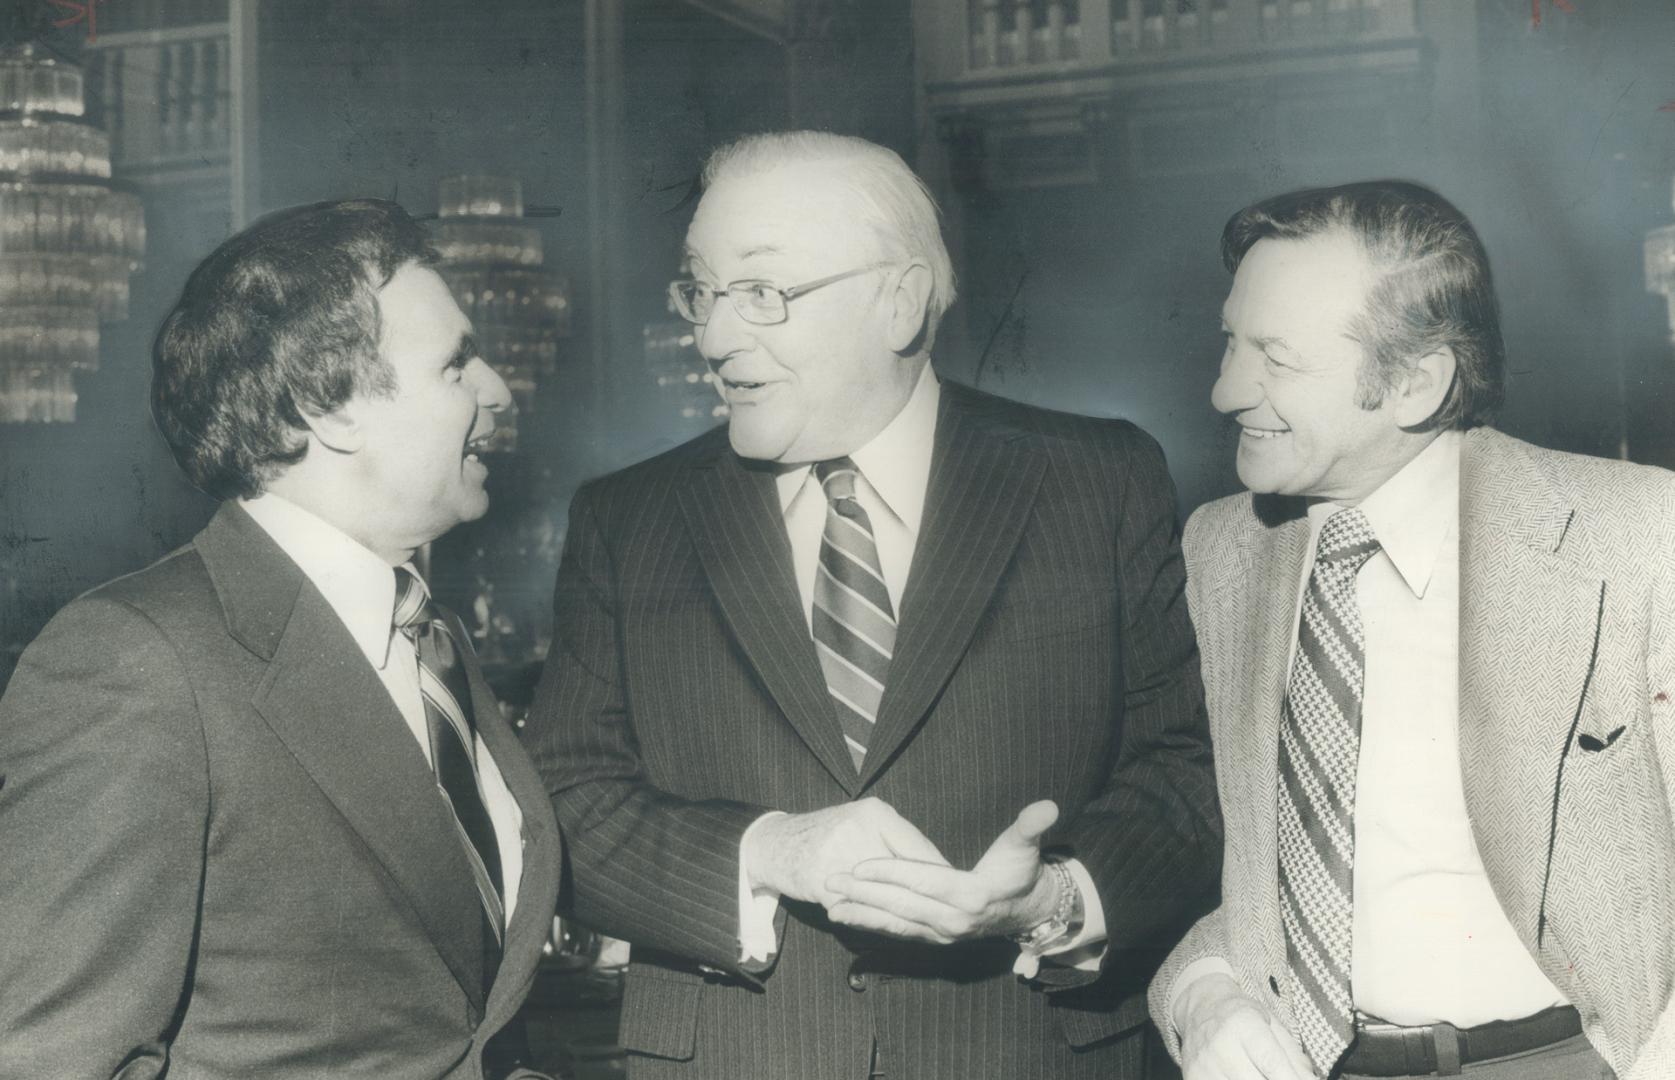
1431	289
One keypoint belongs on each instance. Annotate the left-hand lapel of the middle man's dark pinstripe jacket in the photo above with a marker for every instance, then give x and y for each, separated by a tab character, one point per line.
738	528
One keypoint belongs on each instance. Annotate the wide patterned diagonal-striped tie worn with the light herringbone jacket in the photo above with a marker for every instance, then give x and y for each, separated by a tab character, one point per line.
1319	753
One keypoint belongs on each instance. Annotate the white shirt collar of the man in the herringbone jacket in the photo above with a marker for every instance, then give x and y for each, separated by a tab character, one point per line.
1415	512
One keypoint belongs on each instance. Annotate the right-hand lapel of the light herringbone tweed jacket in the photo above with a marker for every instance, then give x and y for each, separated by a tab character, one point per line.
1528	627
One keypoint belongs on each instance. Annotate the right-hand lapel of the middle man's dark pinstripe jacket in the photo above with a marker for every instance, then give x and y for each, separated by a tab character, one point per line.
981	495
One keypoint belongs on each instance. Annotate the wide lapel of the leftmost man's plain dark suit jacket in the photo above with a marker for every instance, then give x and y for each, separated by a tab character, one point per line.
327	706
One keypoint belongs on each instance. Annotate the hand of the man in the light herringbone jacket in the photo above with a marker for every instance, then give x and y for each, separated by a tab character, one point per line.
1229	1036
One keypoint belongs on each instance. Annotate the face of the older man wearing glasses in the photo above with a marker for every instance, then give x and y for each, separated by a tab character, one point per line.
823	383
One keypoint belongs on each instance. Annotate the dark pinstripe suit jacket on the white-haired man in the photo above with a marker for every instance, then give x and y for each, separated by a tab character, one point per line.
1044	652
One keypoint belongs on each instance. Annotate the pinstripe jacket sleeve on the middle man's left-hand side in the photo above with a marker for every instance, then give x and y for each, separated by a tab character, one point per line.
646	867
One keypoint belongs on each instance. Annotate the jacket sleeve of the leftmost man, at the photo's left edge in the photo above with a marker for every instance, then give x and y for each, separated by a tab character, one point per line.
103	830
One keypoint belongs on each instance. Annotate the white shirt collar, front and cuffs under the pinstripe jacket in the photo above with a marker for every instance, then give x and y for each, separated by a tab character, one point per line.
895	475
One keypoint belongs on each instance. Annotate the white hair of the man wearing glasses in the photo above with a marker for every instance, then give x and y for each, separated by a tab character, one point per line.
895	202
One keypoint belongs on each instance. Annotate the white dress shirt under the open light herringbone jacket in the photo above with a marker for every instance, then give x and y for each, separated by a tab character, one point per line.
1430	940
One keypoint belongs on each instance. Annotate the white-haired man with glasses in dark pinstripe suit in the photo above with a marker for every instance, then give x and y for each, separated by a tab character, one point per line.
884	696
